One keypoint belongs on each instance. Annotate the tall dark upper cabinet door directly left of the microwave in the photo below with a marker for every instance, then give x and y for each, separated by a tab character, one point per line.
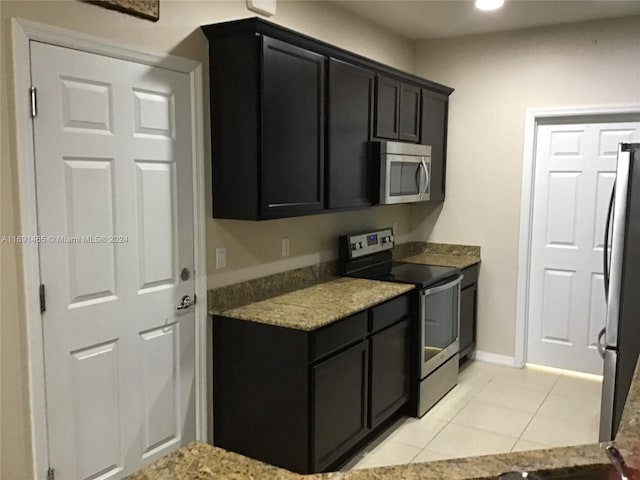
350	164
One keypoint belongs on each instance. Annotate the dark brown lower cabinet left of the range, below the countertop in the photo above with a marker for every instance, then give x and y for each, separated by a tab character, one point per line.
304	400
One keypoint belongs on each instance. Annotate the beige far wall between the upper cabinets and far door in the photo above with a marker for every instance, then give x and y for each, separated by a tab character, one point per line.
497	78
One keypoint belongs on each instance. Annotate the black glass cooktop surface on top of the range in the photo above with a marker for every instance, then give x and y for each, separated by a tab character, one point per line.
420	275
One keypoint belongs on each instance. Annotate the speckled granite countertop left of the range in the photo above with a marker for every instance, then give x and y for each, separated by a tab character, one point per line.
312	307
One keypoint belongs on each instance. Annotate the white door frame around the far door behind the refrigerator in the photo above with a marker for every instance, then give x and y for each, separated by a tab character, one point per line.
533	118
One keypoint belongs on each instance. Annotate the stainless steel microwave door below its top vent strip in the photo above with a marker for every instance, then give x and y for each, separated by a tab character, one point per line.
404	179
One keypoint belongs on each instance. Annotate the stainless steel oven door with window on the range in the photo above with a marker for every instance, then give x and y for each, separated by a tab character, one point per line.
439	325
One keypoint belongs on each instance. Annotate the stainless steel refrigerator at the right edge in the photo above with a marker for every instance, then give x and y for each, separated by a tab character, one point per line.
619	341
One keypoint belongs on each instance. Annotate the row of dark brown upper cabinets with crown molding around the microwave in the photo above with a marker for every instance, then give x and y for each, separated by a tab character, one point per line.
292	119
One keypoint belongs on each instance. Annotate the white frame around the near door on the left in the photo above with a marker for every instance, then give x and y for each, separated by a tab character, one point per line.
23	32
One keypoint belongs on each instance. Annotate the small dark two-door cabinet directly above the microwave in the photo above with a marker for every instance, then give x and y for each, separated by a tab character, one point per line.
397	110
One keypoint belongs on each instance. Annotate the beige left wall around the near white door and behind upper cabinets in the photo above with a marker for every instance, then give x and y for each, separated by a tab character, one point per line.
248	243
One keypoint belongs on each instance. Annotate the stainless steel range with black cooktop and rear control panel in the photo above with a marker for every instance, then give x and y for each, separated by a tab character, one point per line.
368	255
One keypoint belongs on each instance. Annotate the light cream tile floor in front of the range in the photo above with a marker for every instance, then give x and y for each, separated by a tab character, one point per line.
494	409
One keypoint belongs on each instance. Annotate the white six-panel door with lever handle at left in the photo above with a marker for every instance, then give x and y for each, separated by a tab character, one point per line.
115	211
